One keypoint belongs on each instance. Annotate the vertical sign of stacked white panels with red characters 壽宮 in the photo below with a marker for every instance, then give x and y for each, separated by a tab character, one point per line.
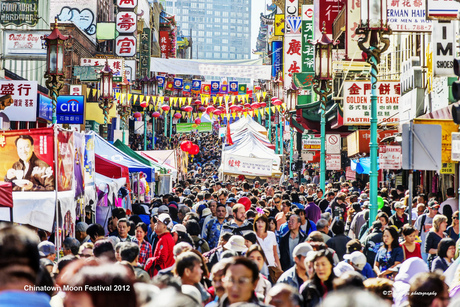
126	23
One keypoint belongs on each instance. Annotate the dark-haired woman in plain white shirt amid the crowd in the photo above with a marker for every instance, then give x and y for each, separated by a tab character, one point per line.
267	240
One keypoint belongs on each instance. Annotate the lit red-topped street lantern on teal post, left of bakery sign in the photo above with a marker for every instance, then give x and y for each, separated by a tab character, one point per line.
323	87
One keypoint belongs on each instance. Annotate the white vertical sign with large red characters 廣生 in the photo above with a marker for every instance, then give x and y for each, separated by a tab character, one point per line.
292	58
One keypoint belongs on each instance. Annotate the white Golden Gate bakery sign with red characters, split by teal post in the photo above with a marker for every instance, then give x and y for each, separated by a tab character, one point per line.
357	102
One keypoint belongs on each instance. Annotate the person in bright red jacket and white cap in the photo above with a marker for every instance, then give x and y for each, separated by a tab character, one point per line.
163	256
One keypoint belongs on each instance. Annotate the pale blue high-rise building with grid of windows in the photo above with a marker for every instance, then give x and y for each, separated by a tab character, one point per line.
221	29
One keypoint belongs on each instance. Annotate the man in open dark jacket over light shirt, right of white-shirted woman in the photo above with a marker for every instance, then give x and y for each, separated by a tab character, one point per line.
289	241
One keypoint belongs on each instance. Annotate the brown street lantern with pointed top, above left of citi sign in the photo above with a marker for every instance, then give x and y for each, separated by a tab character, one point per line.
54	75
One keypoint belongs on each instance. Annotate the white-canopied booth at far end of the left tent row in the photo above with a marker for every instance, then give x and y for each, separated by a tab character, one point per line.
167	159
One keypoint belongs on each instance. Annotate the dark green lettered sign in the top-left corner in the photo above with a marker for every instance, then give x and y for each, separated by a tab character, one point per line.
19	12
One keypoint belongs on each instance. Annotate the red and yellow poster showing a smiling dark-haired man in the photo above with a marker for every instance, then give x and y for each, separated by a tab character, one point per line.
27	159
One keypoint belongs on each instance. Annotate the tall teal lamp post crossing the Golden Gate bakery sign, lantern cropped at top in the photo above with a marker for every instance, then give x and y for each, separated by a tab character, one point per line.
373	31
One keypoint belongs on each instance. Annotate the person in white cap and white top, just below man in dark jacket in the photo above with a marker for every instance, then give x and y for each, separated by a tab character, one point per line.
298	271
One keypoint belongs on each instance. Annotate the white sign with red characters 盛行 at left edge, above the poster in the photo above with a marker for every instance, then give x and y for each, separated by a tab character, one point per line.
24	95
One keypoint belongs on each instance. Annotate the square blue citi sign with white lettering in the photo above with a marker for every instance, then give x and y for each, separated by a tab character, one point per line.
70	109
